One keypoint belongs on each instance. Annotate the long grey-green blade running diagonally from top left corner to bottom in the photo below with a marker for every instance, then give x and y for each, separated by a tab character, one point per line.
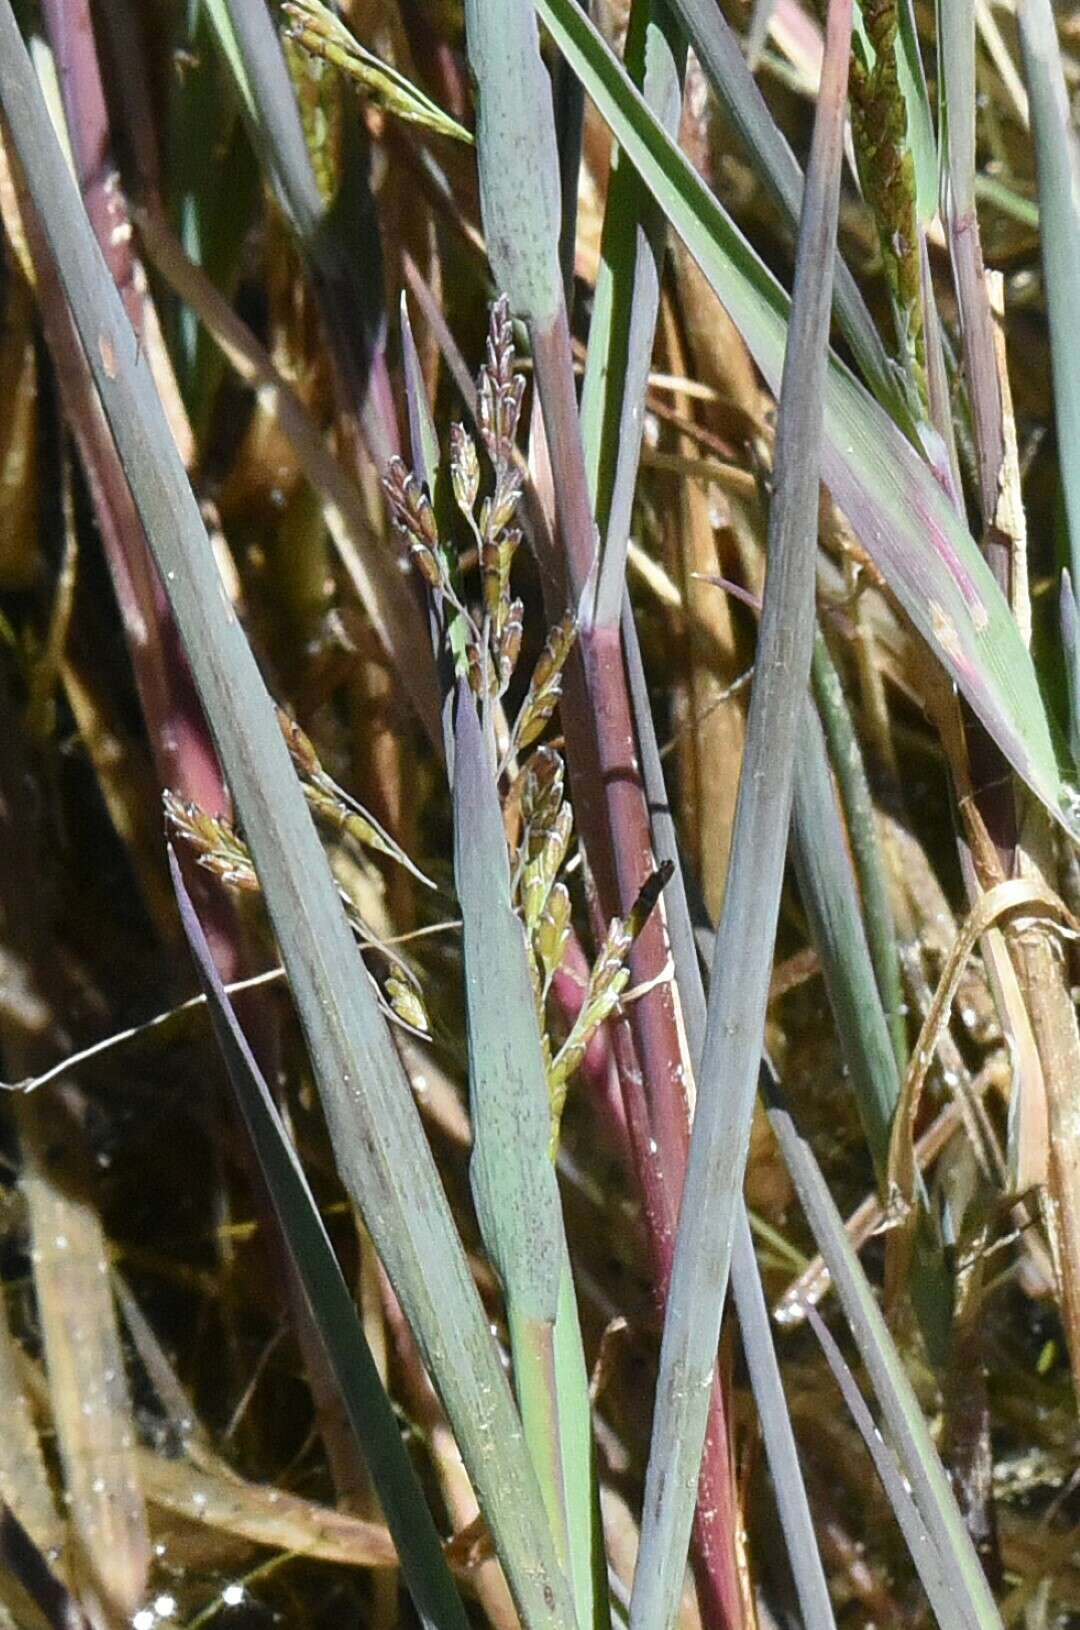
375	1129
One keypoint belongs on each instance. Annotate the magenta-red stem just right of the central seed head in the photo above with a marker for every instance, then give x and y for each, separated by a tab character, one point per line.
613	819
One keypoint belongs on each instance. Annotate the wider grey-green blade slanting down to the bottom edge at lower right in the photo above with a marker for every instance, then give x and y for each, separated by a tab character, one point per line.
907	1425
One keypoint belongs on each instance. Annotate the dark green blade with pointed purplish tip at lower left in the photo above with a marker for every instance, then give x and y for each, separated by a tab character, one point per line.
335	1321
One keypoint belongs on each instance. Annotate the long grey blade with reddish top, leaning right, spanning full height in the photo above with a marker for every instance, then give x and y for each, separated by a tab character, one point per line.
745	940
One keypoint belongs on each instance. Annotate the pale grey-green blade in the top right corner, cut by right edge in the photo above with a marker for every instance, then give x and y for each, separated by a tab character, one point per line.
1058	167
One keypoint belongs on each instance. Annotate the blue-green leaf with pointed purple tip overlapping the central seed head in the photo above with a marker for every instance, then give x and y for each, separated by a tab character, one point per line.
514	1178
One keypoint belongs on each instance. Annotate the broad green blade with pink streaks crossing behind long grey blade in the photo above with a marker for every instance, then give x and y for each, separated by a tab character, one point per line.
887	491
